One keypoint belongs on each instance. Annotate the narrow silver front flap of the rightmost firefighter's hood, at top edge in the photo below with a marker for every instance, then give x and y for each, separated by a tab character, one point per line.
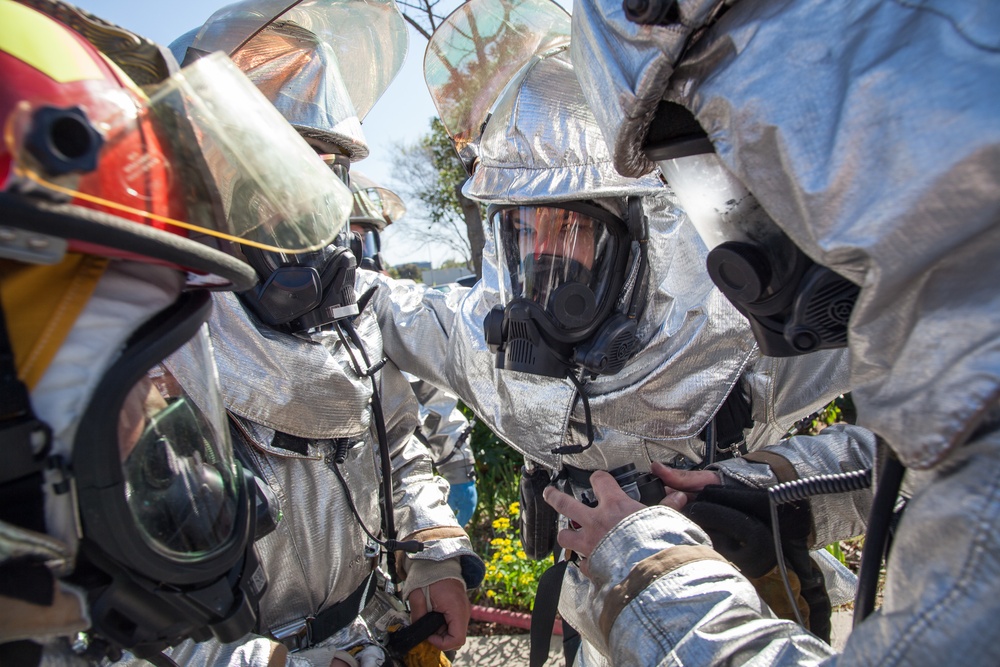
624	69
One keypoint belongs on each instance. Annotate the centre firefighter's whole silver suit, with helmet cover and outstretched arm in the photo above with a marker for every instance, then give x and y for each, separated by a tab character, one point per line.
695	345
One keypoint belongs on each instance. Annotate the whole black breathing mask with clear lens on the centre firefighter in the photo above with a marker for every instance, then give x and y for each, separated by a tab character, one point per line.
565	271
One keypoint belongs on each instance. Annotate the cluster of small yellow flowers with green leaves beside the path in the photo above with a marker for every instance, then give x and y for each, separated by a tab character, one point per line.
511	577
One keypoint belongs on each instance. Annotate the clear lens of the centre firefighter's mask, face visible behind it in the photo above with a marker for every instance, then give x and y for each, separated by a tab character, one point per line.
544	248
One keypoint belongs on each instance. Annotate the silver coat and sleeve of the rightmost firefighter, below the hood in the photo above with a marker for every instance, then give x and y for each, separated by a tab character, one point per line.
939	600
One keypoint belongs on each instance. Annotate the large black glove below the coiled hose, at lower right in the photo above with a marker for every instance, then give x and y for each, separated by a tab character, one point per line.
737	519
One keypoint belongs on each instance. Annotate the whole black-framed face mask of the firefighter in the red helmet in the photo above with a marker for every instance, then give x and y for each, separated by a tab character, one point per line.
167	514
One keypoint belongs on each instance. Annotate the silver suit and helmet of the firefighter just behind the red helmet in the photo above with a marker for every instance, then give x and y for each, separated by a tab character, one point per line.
302	401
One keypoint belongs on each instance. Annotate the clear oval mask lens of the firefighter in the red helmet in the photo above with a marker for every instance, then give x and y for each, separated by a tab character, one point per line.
180	482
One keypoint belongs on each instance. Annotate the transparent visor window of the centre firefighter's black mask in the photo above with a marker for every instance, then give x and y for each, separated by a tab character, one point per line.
547	254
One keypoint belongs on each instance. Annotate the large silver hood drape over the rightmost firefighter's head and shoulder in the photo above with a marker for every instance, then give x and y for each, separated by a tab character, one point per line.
870	135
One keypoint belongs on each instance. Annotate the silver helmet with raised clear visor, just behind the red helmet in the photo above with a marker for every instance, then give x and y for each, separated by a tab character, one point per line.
323	63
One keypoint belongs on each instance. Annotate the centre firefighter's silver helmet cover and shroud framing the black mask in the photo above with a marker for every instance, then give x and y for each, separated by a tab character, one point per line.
694	344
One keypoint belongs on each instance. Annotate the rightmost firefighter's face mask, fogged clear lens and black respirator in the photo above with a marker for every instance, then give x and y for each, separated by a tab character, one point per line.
794	305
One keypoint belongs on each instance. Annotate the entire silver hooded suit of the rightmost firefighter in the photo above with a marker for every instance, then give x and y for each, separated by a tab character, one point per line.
867	132
